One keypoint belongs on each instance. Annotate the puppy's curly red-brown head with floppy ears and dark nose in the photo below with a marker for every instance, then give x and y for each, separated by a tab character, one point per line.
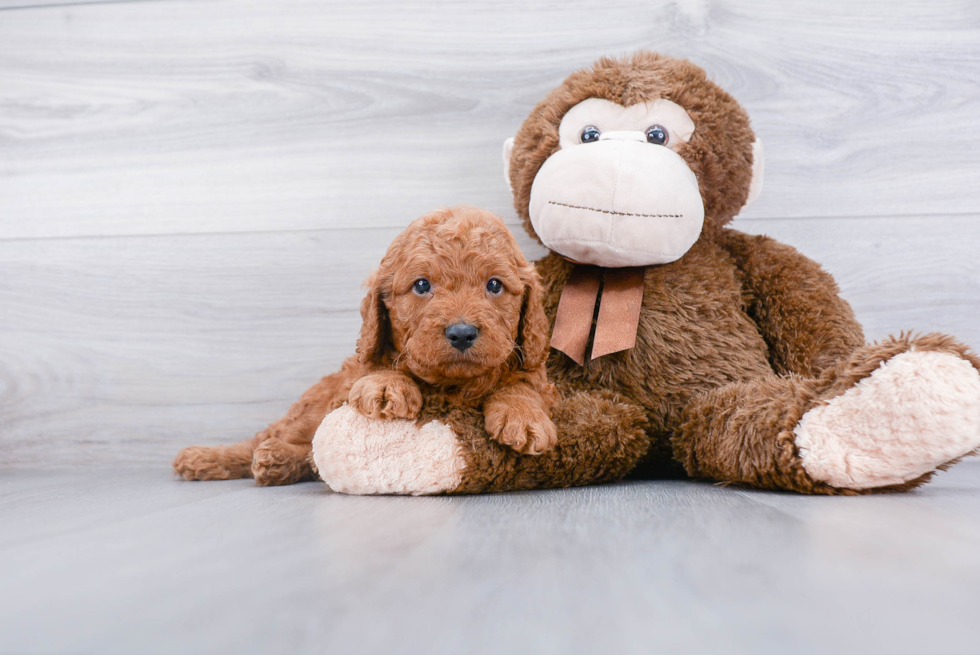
454	299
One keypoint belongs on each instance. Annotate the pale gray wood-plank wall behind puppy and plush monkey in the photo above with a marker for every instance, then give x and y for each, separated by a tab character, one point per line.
192	192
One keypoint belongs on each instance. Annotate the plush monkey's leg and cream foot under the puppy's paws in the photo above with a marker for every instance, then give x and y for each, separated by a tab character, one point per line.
601	437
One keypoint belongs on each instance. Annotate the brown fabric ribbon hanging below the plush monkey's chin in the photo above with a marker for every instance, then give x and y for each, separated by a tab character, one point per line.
619	311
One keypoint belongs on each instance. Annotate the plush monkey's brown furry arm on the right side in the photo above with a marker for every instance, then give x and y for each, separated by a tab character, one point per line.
796	304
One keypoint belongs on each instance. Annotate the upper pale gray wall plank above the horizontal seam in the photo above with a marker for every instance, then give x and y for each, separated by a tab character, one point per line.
175	117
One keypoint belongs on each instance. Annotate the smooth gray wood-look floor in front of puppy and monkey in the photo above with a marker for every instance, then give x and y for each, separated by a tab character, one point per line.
137	562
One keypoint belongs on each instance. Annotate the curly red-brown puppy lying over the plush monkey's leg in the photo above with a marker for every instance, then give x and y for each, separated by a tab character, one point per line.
453	317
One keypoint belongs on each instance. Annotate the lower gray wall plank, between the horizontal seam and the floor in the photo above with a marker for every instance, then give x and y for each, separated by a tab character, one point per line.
125	349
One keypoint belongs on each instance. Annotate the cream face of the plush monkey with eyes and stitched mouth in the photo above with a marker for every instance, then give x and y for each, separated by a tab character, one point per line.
617	192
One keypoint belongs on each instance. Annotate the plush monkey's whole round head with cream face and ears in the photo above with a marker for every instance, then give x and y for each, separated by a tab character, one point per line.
626	163
